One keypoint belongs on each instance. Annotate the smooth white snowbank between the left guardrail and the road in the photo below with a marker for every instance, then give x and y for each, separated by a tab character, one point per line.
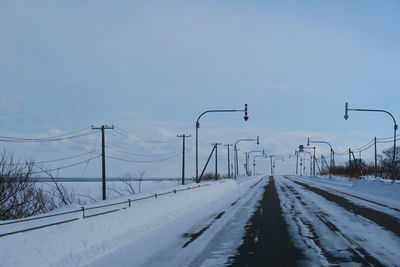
83	241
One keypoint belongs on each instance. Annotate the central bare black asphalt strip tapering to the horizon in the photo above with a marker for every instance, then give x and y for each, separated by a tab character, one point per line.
267	241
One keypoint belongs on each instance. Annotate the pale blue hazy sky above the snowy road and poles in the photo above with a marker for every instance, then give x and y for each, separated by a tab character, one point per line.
150	68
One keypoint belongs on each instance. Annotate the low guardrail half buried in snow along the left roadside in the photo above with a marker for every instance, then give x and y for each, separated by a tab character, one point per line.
84	212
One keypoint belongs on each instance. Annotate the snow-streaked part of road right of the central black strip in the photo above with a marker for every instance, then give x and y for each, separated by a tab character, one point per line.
332	227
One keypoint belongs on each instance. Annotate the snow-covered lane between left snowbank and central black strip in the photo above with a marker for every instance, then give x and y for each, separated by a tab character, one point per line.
208	236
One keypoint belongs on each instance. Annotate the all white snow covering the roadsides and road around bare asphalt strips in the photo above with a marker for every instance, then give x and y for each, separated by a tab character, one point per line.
154	231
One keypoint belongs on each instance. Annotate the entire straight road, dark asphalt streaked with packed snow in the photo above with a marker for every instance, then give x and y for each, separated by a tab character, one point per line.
276	221
